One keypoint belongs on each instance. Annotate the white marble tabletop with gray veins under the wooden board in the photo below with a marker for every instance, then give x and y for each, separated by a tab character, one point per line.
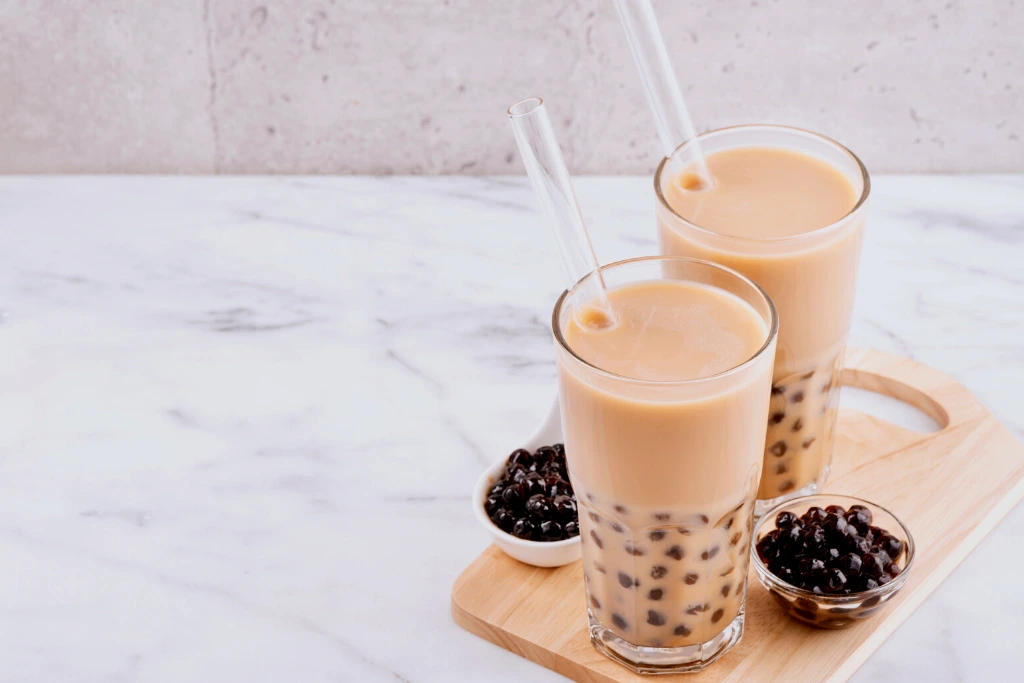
242	416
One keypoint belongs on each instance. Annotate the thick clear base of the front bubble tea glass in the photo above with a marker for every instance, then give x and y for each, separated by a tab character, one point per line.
665	660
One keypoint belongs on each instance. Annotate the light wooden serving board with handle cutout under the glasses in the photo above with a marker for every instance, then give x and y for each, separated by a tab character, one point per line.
950	488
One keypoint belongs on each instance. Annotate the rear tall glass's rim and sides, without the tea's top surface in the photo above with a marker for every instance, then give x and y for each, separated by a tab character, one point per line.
812	279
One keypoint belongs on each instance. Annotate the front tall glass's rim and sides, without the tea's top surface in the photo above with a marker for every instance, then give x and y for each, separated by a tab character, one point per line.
666	475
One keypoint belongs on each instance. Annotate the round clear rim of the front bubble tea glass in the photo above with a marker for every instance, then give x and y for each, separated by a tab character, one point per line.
770	338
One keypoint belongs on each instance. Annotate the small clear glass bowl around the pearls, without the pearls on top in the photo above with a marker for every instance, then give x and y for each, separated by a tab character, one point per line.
832	612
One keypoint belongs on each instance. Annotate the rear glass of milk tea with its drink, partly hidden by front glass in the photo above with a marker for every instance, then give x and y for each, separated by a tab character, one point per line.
788	210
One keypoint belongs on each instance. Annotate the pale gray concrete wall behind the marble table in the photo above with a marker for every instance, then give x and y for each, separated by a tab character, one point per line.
420	87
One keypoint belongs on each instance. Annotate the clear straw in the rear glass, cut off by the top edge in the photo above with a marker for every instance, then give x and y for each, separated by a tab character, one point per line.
652	58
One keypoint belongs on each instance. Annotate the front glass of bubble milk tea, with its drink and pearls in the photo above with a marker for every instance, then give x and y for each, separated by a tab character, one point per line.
664	415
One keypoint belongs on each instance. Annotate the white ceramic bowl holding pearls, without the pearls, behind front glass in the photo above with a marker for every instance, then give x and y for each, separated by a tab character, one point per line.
538	553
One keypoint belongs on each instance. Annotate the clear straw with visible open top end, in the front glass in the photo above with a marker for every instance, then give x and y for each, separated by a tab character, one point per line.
547	172
